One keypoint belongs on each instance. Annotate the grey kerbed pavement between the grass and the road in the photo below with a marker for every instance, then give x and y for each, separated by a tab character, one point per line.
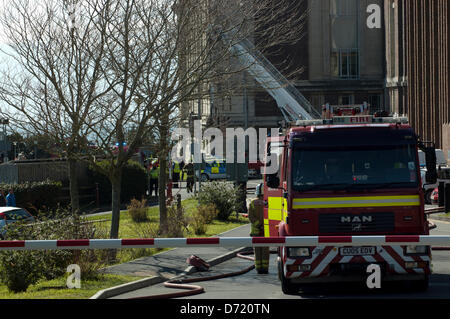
168	265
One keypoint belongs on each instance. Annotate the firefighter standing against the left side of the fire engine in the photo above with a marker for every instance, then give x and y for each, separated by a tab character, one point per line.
256	216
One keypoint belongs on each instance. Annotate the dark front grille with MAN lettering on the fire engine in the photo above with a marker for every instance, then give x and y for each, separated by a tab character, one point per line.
356	223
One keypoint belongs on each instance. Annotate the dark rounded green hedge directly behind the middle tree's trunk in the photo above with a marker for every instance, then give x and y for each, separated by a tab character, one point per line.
134	182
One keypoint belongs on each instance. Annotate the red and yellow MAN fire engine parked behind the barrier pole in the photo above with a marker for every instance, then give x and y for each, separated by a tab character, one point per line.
349	173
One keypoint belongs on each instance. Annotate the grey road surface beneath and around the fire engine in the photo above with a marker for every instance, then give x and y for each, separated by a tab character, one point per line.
253	286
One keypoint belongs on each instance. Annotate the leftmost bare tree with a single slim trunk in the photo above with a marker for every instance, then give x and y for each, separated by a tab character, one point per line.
54	78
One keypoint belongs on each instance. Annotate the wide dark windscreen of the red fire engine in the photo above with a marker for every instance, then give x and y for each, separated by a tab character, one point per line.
390	166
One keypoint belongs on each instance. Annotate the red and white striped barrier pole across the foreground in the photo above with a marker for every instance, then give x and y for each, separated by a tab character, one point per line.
438	241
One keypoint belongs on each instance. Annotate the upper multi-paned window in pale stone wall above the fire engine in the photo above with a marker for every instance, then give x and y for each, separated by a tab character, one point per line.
344	64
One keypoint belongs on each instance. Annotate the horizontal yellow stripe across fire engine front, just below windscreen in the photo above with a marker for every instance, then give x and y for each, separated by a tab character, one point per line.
363	201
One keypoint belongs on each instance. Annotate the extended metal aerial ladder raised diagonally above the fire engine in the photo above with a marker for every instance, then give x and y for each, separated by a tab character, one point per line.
293	105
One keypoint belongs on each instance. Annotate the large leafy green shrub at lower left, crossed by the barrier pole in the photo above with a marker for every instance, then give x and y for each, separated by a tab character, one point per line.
19	269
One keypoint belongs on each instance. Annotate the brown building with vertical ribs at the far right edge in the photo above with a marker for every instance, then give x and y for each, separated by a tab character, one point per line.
417	59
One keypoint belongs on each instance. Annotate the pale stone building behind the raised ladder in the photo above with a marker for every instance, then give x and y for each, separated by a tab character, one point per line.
338	60
